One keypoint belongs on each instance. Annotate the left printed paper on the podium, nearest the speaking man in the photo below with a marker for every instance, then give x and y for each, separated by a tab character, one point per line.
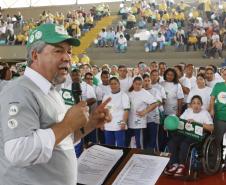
95	163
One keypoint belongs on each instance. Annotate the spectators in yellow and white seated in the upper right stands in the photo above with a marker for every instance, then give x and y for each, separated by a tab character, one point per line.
201	25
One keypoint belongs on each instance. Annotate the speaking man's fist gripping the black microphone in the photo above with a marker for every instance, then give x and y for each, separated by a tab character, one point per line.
77	116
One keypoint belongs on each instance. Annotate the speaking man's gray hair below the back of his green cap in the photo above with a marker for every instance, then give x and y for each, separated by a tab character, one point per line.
38	47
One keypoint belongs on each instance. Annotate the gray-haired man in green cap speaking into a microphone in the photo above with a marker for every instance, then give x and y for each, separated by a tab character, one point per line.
36	130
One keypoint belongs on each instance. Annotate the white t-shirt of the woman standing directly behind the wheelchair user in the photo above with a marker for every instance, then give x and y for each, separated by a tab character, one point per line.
204	93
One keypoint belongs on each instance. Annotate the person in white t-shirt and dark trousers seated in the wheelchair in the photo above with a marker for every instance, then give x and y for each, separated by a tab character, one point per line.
179	144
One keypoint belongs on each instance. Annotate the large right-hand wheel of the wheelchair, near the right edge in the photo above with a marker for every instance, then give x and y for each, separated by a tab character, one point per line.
211	156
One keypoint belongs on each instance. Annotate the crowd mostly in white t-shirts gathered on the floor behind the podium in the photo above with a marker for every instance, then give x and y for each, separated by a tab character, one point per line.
141	98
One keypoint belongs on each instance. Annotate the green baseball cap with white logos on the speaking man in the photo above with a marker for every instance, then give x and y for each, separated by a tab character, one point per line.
51	34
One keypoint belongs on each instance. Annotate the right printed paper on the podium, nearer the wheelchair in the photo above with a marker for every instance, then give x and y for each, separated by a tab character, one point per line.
142	170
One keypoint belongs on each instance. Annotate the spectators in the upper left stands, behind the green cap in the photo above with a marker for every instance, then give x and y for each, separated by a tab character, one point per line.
14	29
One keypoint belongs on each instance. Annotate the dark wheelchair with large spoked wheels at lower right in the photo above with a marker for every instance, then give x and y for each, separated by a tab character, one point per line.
204	156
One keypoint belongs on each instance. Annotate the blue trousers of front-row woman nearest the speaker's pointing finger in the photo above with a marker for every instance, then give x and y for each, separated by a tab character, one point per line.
115	138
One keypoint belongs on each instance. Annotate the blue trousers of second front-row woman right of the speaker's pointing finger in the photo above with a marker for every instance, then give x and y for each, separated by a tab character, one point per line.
133	132
